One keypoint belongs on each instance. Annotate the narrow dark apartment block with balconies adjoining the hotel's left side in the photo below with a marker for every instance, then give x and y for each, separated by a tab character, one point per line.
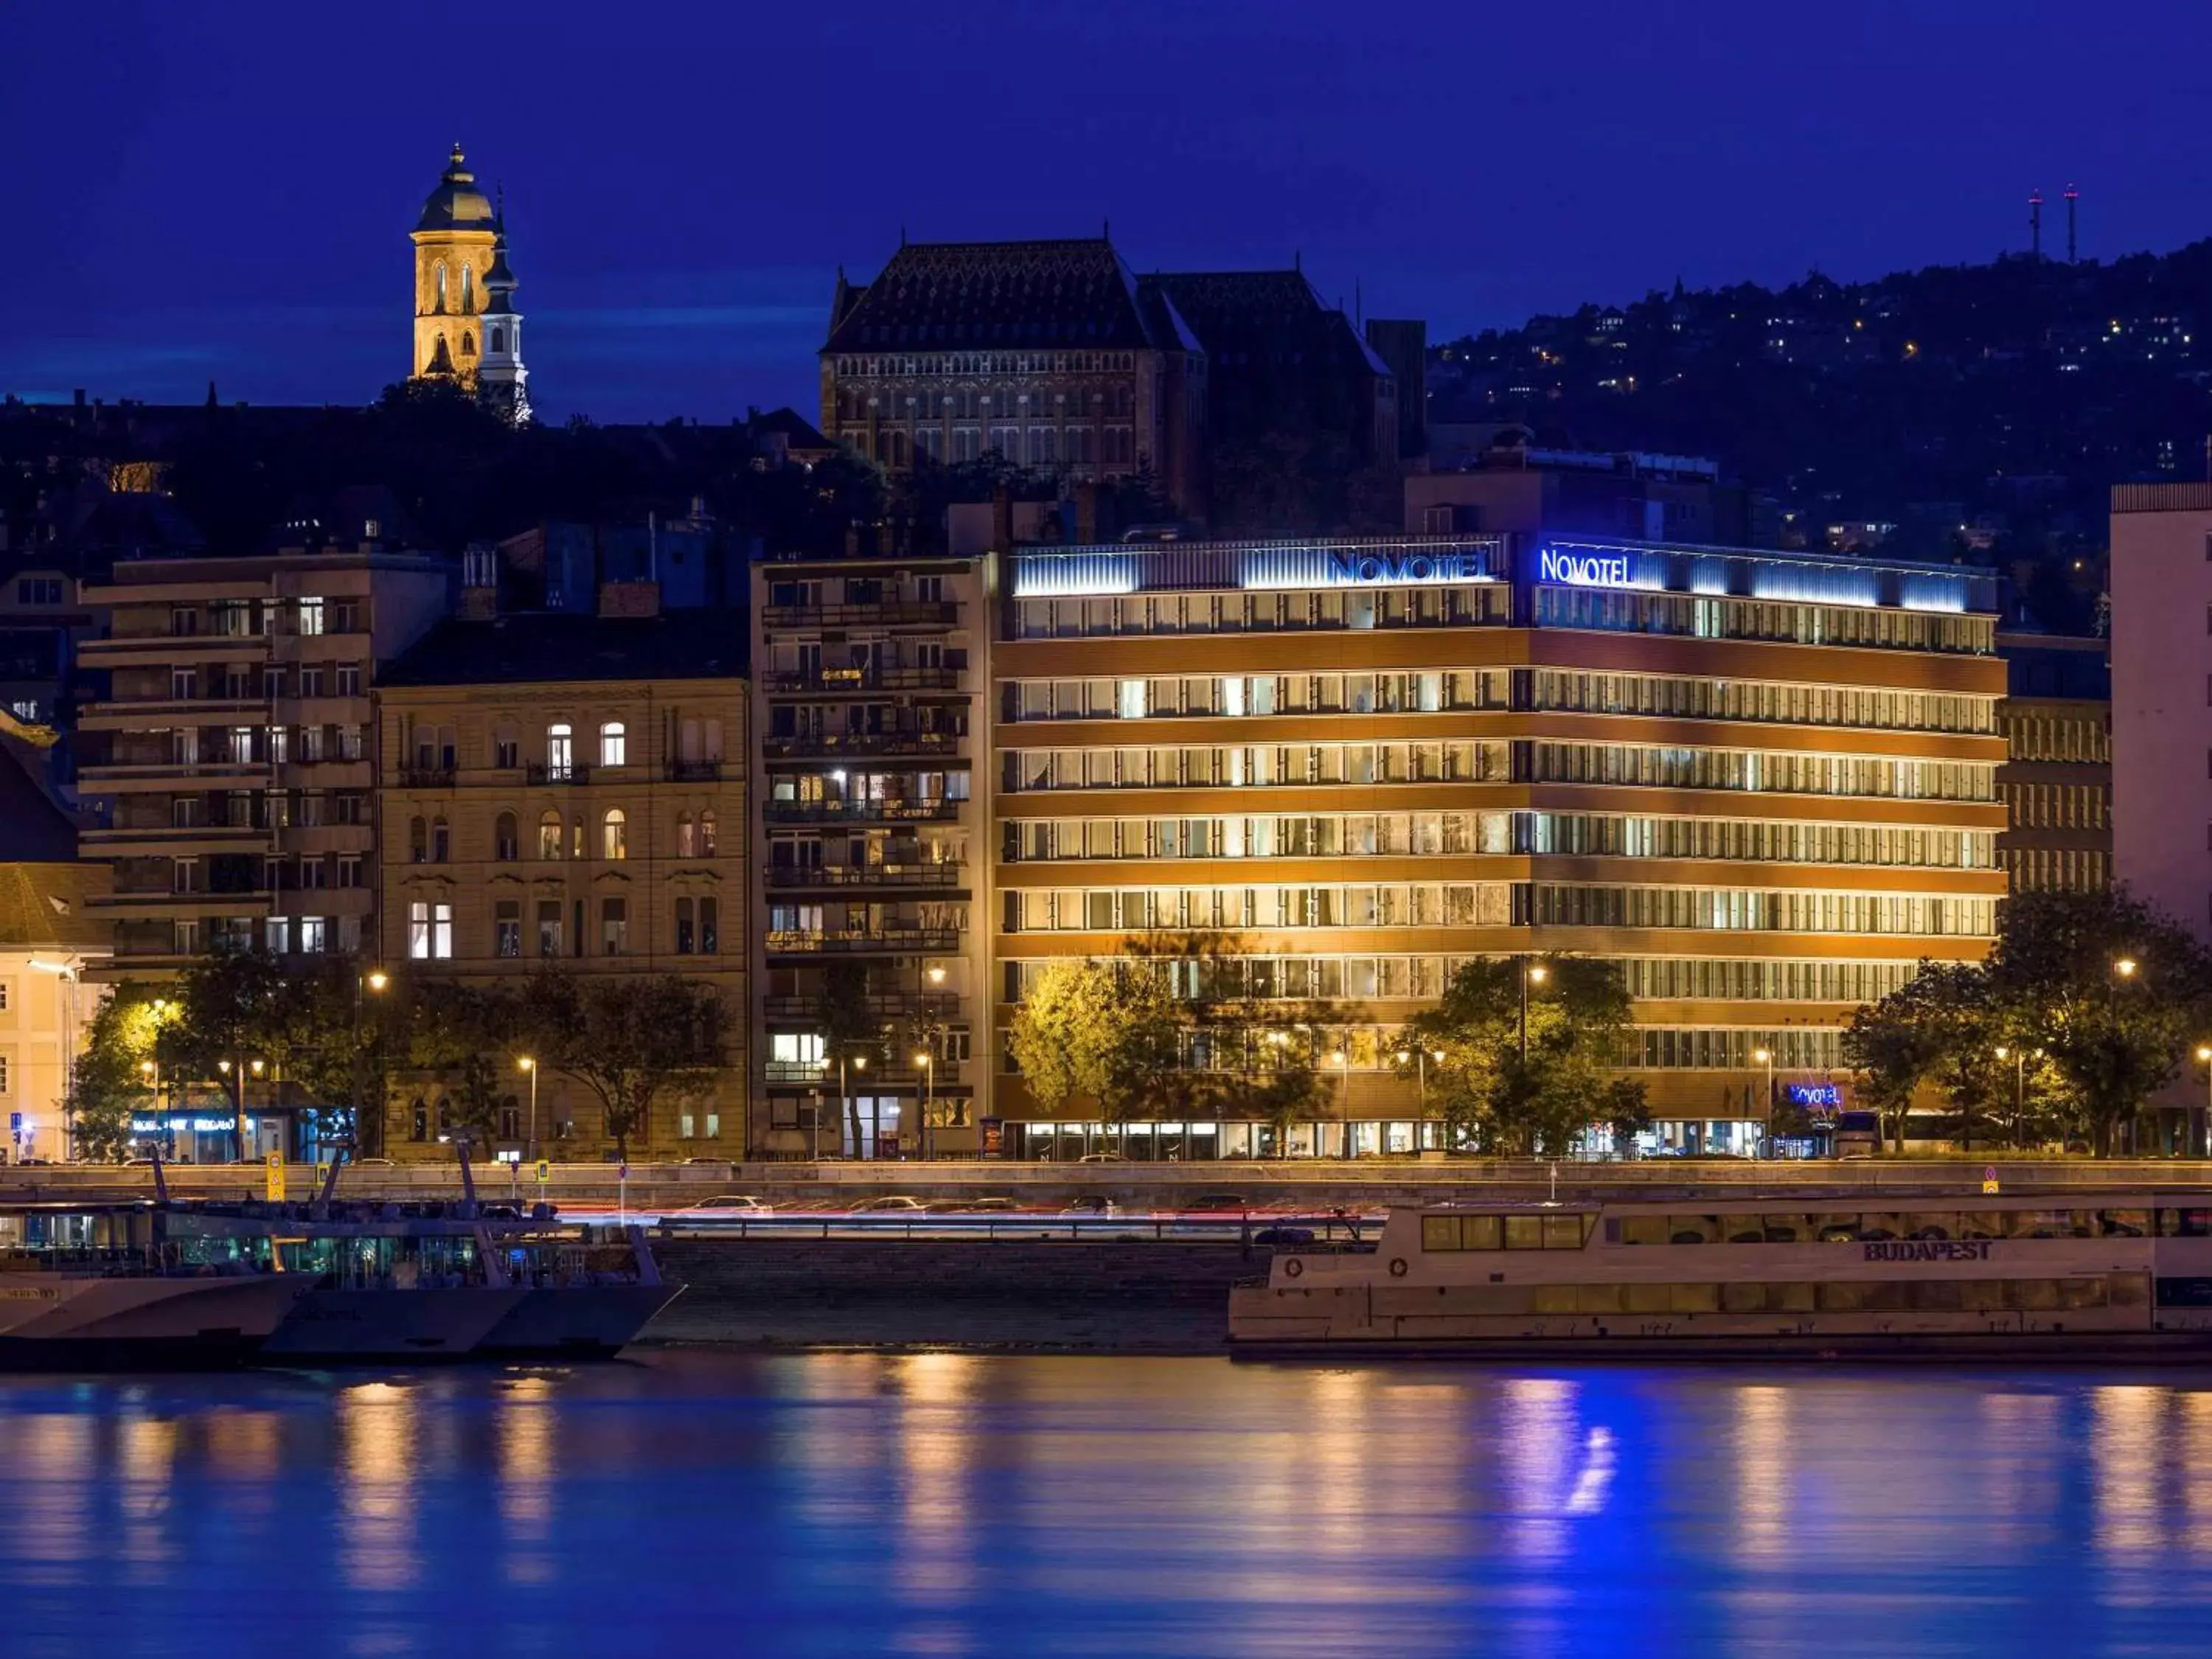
868	844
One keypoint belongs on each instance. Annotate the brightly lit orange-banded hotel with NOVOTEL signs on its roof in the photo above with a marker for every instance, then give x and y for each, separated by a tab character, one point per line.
1762	782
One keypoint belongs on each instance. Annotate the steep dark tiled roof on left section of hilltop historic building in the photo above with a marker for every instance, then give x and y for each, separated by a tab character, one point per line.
994	295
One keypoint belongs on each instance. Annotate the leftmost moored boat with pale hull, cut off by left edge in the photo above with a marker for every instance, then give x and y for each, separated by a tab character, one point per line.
96	1288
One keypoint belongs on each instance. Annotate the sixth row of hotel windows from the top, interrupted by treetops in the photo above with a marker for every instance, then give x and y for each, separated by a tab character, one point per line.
1419	979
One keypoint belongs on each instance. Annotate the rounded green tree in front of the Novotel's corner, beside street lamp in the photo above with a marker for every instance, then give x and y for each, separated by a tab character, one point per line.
1514	1096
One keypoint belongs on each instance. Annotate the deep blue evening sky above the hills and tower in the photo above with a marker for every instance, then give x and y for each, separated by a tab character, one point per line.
225	191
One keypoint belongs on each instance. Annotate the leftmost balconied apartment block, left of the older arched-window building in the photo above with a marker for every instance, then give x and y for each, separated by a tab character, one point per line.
231	755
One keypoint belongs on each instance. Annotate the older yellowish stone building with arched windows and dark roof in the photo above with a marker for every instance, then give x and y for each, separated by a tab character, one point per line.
570	791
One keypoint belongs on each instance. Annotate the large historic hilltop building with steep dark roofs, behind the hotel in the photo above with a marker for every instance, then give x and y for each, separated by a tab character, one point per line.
1061	359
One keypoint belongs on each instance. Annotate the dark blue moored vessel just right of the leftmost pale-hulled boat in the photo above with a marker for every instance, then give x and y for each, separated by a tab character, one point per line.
452	1286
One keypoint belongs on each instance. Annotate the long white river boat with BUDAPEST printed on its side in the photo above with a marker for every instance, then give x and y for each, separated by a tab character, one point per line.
1839	1277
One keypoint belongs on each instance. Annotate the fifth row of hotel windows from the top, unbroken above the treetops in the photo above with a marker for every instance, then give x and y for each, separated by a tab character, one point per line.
1496	906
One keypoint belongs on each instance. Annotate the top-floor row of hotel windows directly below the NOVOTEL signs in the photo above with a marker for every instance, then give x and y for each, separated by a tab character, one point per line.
1492	603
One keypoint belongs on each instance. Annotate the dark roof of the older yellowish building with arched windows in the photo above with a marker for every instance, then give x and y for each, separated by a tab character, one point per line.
547	647
